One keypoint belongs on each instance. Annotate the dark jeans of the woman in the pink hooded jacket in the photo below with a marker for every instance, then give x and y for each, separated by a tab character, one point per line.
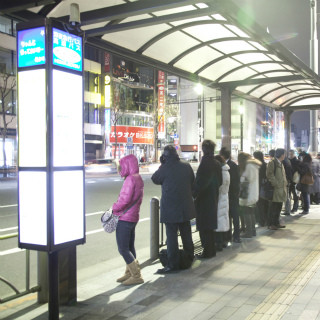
125	235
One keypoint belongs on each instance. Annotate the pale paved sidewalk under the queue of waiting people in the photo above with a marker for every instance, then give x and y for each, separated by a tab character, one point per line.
275	275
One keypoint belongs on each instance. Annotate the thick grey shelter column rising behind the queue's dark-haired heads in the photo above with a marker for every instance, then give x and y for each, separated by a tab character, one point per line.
226	117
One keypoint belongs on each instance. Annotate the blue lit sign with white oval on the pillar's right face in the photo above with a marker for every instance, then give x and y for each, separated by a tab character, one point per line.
67	50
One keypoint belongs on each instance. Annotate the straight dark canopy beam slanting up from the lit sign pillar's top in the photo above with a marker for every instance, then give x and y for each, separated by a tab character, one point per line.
149	22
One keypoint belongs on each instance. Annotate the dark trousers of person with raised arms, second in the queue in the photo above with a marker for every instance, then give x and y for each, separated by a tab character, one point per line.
173	245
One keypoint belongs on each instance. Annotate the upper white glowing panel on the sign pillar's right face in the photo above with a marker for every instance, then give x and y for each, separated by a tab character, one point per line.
67	119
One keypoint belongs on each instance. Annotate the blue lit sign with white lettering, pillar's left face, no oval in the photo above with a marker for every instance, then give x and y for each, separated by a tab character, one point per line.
31	47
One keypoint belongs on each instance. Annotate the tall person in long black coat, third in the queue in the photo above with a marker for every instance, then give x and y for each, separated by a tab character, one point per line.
206	194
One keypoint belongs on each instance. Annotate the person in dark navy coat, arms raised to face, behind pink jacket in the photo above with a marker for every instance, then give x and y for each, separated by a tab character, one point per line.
176	178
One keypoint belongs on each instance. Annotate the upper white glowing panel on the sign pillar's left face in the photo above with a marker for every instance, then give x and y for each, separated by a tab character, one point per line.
32	118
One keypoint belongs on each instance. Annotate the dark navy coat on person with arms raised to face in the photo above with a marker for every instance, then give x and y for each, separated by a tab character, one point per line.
176	178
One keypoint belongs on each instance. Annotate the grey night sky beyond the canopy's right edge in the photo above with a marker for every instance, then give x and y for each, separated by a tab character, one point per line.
288	22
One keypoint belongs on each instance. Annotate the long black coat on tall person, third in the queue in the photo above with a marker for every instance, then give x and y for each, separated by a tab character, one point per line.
206	192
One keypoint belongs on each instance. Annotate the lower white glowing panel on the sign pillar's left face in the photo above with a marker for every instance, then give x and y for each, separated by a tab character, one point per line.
33	207
